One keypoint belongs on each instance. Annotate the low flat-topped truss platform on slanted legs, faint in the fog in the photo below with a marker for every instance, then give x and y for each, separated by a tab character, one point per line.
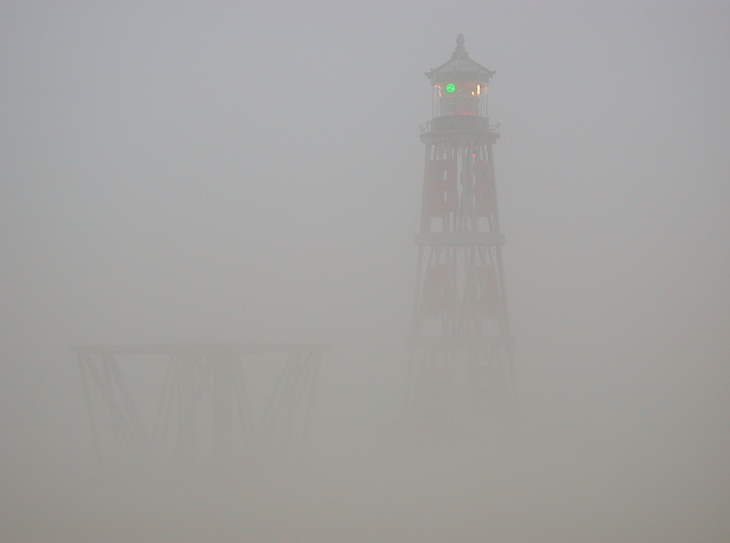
221	407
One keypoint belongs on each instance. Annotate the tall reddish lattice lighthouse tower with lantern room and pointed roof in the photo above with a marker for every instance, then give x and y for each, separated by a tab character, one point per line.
461	356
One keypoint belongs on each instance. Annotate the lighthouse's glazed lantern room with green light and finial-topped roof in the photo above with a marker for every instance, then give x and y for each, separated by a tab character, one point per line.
459	90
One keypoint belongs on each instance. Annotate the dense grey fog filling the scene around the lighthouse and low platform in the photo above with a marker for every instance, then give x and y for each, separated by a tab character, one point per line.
230	172
